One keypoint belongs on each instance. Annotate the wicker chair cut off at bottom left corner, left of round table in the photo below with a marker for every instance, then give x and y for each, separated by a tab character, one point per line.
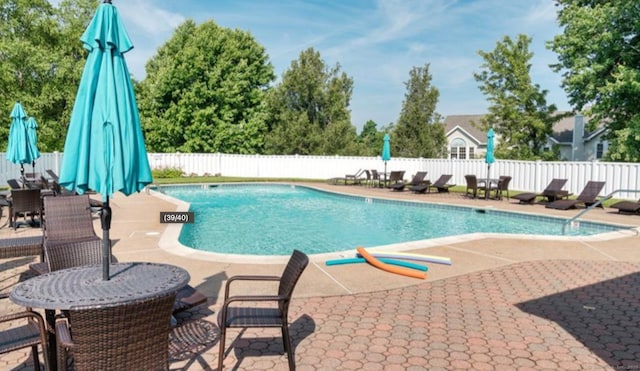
25	329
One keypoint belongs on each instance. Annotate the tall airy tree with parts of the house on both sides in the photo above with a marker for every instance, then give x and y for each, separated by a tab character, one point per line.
518	112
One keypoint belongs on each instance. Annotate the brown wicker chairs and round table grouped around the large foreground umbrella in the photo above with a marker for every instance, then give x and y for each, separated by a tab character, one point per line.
123	322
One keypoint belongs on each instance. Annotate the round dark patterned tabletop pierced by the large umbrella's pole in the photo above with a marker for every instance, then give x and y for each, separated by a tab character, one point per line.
84	288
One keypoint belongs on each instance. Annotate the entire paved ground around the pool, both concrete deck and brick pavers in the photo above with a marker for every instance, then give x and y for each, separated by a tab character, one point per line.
507	302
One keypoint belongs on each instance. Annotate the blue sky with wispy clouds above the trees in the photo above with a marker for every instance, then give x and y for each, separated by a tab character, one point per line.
375	42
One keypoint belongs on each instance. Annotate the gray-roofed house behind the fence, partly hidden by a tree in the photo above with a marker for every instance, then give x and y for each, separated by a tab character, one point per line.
467	141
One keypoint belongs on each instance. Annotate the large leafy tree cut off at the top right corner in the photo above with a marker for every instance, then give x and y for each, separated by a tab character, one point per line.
599	57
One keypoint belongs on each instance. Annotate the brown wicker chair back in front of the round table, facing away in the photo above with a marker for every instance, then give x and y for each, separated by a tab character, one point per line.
133	336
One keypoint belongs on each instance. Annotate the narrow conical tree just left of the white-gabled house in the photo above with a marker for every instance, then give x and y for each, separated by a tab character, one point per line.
419	131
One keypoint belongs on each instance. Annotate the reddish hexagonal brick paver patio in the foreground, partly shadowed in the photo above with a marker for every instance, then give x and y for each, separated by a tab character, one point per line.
538	315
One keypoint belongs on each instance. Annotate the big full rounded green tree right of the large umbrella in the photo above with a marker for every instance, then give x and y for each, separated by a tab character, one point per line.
204	92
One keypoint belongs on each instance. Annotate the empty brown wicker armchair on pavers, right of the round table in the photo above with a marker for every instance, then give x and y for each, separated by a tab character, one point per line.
268	316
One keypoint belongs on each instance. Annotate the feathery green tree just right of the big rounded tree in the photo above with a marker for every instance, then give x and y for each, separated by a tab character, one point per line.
309	110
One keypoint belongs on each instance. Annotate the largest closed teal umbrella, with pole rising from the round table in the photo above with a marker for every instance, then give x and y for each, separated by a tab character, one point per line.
104	150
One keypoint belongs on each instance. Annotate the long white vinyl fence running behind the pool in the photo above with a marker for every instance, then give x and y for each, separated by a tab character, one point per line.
527	175
